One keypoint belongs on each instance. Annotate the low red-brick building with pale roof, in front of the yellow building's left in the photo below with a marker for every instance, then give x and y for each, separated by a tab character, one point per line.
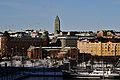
52	52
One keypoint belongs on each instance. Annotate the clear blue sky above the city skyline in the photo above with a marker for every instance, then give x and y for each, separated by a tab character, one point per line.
75	15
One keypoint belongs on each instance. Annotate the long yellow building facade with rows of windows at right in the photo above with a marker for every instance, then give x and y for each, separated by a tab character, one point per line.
99	48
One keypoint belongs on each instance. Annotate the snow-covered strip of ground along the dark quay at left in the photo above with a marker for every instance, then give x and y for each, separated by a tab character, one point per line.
29	63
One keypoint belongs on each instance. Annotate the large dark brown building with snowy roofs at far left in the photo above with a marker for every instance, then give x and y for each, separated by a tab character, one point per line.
17	43
